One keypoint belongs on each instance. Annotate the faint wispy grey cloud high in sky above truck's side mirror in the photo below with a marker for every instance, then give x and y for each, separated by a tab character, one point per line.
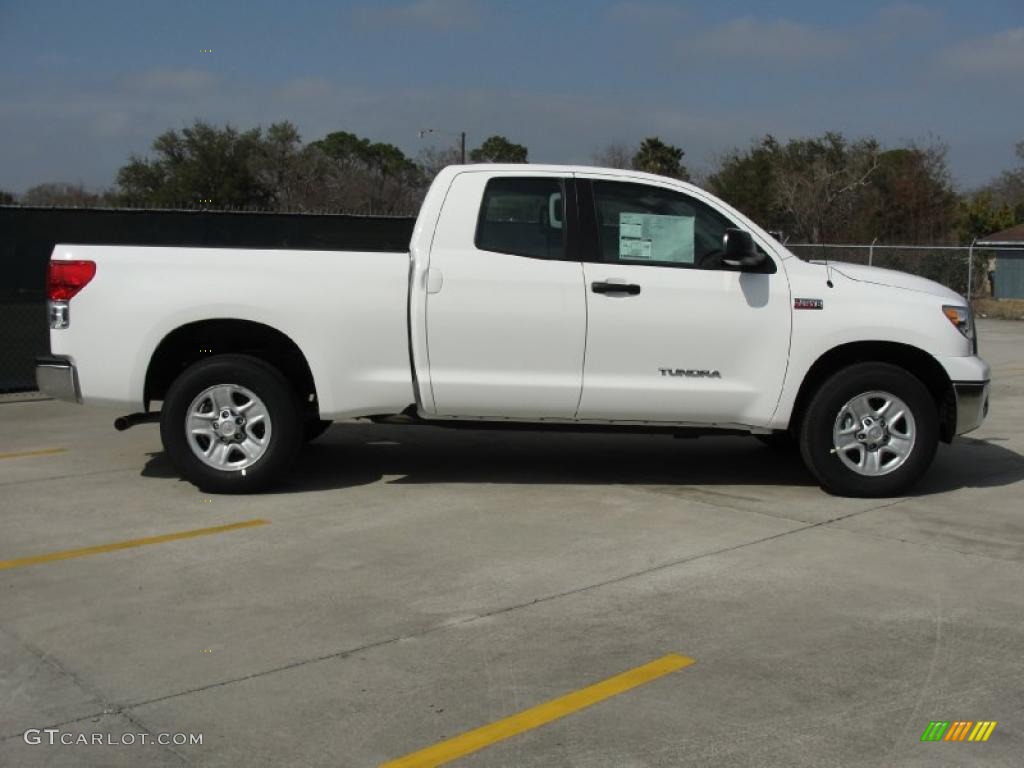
775	42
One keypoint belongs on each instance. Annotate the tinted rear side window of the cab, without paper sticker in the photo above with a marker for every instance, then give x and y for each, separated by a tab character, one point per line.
523	218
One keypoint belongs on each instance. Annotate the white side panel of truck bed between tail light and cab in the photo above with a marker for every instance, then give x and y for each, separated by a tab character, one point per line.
347	311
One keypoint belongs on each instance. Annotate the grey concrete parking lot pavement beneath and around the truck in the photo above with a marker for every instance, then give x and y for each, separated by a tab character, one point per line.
414	584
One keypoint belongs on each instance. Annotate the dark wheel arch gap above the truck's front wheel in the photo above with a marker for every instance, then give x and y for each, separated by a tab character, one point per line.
913	360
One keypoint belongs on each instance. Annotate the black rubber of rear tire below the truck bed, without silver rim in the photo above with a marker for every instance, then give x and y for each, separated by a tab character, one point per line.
281	403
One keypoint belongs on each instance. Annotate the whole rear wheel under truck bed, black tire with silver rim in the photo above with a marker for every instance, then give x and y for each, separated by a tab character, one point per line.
240	457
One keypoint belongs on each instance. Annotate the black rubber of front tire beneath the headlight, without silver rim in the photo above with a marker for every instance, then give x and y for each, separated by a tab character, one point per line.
817	439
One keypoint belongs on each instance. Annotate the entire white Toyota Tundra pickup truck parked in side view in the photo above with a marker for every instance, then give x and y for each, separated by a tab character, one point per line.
550	296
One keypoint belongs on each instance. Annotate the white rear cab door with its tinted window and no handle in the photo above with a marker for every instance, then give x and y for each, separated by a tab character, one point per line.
506	311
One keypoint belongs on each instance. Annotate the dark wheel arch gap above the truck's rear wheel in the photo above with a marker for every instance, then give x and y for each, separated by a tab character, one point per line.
194	342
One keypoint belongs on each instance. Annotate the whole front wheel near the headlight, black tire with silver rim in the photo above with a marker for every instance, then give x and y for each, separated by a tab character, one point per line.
887	457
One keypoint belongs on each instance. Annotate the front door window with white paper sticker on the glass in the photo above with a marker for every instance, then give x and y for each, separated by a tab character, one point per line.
642	225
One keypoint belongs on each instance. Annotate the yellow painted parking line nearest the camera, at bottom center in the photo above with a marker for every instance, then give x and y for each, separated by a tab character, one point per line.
535	717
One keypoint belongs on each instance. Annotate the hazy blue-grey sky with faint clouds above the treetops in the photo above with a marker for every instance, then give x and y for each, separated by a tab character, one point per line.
86	86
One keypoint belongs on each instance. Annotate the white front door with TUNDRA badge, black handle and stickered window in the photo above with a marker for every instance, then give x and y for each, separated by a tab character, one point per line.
675	335
